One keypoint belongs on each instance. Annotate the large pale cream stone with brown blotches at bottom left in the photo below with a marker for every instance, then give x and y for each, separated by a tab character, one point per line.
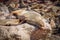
20	32
